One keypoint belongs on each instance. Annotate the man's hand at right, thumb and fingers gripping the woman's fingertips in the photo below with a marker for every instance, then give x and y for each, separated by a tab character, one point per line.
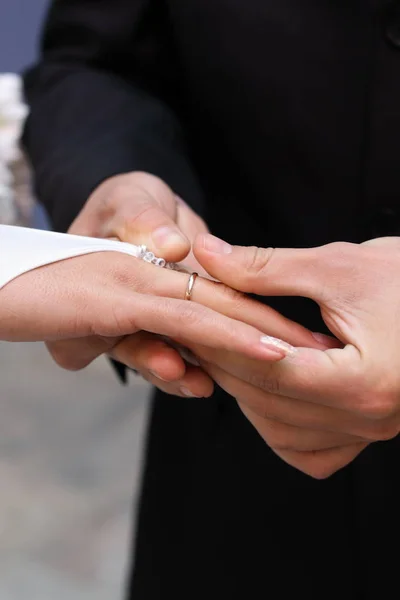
353	390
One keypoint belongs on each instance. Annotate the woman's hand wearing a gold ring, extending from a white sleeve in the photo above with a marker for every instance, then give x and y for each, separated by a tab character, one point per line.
94	301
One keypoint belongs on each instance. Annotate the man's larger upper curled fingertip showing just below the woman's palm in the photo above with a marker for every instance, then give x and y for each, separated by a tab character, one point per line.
143	351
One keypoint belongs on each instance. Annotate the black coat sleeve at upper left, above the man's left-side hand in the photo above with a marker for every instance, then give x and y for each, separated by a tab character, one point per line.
100	100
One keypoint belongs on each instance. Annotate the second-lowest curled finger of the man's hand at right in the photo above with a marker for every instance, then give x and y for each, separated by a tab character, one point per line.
282	436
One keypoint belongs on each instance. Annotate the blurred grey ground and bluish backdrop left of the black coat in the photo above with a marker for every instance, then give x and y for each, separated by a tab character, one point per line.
70	444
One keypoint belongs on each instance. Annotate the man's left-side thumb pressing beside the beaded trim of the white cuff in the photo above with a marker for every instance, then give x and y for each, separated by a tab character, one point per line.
146	214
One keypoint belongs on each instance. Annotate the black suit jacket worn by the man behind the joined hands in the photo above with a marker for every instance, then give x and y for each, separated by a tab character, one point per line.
279	121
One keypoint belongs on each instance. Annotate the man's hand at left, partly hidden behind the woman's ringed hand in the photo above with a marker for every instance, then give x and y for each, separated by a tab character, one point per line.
139	208
